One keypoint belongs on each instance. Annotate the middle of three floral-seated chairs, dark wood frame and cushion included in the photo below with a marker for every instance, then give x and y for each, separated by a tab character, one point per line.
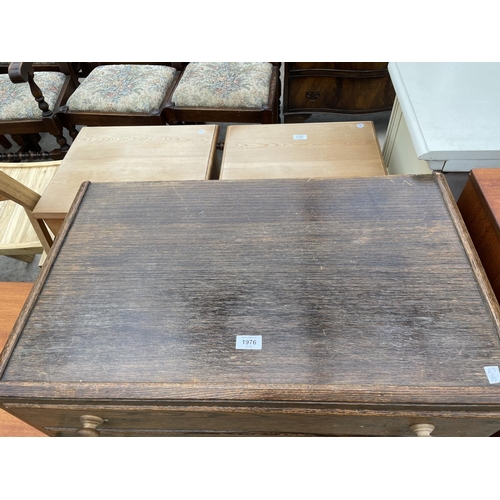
120	94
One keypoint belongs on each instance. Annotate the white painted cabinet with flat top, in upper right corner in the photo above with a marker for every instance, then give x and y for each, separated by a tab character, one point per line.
446	117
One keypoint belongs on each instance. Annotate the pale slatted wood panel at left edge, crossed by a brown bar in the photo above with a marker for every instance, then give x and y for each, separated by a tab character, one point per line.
17	235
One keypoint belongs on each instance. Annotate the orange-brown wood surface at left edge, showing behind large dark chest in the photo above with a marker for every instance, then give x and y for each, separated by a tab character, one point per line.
12	298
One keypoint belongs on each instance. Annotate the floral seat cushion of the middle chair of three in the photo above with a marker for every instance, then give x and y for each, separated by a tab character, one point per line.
123	88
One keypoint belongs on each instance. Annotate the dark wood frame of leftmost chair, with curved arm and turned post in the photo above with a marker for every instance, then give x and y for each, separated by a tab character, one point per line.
27	132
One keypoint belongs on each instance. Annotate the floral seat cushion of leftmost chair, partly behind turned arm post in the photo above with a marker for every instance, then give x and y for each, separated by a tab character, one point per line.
17	101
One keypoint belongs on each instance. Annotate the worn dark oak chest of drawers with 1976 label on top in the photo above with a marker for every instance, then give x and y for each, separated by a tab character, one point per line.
259	307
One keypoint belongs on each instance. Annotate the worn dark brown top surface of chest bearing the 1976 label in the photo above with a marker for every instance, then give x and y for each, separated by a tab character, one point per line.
349	281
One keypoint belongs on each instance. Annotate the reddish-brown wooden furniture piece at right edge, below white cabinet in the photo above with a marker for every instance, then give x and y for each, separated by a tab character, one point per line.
479	205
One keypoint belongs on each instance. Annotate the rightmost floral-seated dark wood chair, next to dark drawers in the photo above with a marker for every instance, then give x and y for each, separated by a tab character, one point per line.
241	92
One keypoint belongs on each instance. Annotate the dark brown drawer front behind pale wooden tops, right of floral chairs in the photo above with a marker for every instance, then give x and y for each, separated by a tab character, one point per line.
323	93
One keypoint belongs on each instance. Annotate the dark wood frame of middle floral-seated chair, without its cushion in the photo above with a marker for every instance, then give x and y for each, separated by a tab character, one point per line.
71	119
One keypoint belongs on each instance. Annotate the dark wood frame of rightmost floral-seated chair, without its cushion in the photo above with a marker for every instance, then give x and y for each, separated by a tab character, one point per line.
270	113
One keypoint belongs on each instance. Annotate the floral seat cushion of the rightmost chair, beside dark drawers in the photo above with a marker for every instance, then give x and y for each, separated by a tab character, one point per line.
224	85
